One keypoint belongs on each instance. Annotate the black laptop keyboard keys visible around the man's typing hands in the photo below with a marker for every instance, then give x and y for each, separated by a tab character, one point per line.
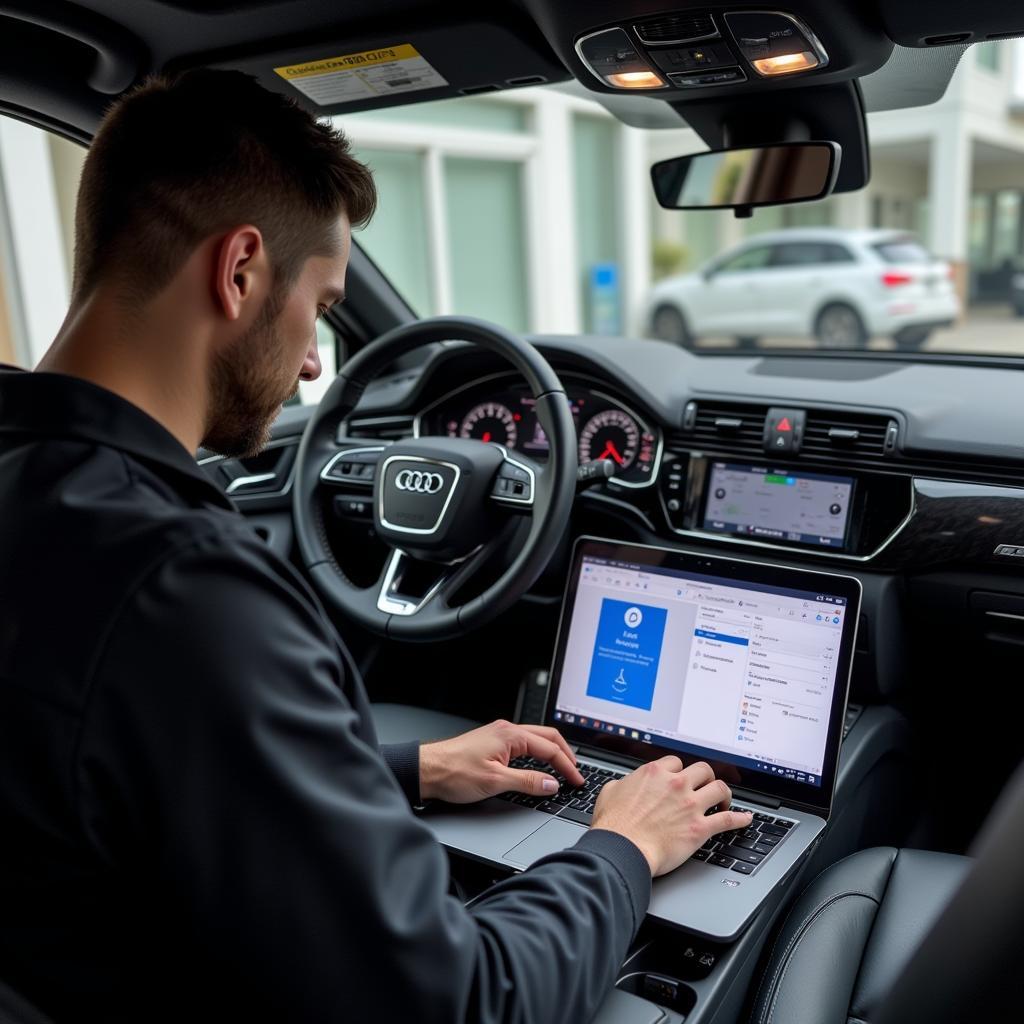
741	850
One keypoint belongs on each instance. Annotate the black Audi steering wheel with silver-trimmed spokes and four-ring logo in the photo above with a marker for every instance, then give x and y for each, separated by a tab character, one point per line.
443	505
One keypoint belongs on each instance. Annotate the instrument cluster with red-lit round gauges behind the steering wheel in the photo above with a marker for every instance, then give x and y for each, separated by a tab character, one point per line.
501	411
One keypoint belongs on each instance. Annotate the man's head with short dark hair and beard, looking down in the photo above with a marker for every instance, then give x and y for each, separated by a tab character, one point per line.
212	164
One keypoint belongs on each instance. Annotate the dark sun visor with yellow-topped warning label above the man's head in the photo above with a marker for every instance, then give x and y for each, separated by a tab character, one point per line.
405	67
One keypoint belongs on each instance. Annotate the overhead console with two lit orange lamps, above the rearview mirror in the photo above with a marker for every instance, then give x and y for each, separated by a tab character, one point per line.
740	76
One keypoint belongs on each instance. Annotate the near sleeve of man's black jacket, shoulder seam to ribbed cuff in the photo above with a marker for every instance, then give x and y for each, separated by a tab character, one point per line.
222	754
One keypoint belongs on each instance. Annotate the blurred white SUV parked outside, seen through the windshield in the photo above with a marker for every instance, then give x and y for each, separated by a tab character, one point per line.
837	285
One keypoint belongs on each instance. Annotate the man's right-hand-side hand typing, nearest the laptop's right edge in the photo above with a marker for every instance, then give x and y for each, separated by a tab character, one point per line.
661	807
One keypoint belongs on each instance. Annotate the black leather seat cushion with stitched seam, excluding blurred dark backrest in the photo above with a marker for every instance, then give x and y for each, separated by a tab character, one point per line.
851	933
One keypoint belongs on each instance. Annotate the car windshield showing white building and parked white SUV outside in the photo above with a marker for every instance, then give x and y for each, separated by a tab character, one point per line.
534	208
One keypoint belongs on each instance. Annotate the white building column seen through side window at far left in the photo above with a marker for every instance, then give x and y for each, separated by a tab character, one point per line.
32	241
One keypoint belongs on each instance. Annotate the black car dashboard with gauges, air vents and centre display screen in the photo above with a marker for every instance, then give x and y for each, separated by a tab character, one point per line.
885	464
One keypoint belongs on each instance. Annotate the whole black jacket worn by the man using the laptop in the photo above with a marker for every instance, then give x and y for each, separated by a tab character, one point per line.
196	822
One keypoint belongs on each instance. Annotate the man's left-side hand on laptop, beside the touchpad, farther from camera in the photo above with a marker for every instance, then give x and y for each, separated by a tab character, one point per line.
476	765
